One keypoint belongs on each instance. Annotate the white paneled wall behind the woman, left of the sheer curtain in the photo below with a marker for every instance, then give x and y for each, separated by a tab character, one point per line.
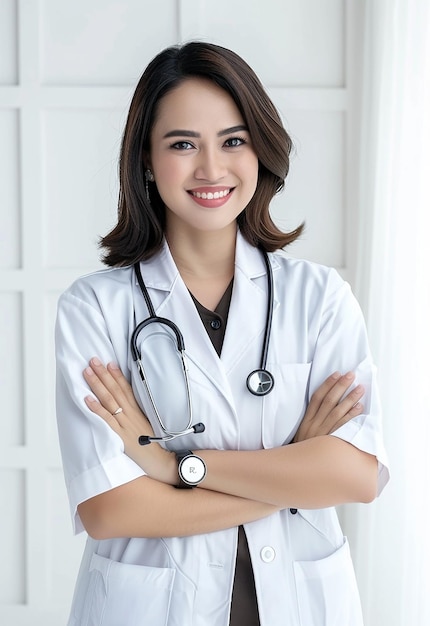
67	72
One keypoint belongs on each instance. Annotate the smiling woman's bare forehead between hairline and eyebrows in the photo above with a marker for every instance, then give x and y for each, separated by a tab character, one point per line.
196	104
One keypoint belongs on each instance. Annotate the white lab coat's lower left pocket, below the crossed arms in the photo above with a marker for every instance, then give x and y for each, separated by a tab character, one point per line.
121	593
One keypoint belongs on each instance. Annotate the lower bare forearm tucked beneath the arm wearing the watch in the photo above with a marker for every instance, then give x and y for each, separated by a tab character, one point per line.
148	508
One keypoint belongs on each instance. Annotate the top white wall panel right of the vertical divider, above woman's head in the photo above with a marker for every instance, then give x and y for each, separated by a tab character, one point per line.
288	43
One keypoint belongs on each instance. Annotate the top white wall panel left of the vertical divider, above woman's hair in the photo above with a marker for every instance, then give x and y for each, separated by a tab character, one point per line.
102	42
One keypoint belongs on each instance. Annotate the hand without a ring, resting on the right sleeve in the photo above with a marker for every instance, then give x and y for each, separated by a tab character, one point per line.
325	412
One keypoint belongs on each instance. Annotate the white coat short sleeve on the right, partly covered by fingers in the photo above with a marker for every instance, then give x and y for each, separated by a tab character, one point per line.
342	345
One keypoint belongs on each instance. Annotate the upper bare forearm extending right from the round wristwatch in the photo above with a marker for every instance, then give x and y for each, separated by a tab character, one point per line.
316	473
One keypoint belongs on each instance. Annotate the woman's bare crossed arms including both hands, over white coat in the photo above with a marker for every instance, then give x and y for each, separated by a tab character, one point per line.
316	470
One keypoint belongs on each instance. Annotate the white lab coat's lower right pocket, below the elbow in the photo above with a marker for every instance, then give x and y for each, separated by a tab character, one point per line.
327	593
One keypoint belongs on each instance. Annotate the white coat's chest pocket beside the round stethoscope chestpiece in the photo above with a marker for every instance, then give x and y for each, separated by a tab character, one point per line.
284	407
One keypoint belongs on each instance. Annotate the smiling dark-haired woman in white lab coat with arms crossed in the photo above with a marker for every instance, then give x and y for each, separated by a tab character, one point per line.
256	541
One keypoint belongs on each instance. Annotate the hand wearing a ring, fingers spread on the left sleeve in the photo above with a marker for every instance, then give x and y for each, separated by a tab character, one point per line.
113	391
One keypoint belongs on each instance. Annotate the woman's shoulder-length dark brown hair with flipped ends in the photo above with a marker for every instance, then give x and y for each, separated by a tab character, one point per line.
141	222
